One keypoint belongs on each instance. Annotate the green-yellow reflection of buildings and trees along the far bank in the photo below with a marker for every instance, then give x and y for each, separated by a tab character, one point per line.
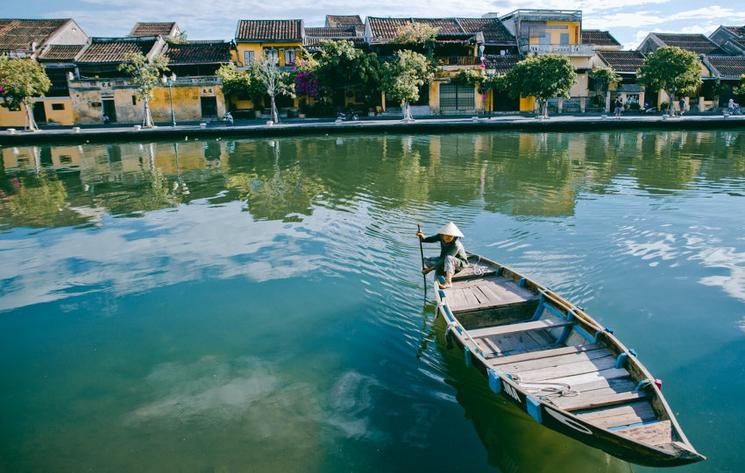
512	173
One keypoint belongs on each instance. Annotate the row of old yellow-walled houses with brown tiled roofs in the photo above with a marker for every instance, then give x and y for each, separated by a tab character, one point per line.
89	89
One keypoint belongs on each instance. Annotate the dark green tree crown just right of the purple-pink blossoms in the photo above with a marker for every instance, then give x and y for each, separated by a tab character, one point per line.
339	67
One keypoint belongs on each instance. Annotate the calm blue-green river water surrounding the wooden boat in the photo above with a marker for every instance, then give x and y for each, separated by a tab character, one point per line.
255	305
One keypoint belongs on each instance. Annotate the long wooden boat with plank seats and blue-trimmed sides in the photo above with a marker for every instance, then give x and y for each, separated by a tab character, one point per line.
560	366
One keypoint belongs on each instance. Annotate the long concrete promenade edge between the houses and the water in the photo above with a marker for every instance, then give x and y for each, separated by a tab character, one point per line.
322	127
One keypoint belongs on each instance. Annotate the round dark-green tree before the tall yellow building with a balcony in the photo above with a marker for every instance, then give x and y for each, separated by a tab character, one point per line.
542	77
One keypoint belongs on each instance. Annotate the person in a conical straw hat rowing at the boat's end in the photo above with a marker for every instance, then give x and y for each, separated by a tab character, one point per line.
453	257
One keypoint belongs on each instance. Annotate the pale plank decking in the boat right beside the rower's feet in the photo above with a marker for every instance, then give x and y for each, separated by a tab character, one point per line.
484	293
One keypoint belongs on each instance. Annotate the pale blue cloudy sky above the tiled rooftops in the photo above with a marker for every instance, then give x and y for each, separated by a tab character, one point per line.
628	20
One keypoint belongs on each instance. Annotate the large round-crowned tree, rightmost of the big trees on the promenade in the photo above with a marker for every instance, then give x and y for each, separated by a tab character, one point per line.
672	69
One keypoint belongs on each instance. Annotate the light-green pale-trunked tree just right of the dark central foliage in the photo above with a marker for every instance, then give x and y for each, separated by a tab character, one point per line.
405	75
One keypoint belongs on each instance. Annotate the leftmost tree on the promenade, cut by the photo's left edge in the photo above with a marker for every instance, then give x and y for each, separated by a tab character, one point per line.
21	80
